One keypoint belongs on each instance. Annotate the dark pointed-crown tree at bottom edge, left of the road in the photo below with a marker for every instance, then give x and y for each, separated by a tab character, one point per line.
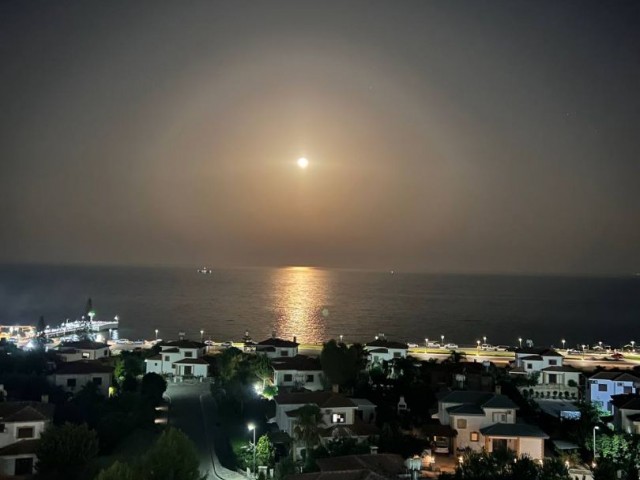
172	457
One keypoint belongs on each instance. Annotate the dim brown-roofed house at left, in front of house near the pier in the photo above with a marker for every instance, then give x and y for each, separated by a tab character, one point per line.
73	376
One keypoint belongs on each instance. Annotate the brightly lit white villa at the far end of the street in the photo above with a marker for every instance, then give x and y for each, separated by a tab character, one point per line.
180	358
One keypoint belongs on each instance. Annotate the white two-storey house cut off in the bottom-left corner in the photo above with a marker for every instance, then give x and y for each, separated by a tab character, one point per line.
21	425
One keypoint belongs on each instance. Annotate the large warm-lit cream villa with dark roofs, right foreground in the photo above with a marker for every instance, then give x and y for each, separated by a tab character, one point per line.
488	421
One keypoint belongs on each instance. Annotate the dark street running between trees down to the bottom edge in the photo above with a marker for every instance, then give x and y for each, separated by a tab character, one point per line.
193	411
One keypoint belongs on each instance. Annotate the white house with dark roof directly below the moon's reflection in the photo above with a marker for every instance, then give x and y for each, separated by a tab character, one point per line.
298	372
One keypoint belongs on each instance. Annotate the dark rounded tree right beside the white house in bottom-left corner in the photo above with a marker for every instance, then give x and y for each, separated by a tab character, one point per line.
65	449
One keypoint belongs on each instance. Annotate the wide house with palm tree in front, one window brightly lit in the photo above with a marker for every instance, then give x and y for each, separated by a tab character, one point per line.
339	414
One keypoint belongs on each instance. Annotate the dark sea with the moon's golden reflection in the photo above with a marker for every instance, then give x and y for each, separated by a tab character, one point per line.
316	304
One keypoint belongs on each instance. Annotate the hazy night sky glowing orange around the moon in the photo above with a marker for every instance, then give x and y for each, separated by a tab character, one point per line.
448	136
